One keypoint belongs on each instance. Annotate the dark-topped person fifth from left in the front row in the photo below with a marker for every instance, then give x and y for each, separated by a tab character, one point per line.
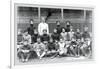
73	47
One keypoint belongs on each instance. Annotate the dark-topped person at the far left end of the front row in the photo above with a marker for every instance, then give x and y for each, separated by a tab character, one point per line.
24	51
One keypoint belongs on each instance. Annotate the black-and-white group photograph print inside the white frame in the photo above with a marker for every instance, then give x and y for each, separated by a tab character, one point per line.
53	34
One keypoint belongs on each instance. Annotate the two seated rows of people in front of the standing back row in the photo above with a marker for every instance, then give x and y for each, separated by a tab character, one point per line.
62	42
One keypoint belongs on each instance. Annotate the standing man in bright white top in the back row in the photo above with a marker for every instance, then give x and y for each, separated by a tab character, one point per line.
43	25
